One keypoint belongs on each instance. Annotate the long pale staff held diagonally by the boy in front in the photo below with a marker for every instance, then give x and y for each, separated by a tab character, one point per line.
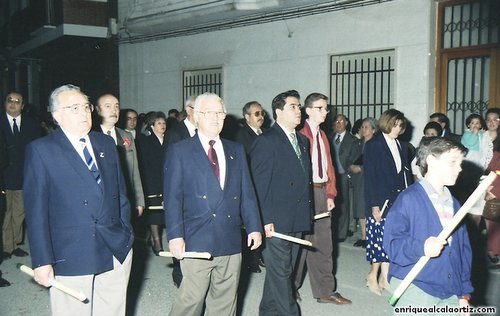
445	233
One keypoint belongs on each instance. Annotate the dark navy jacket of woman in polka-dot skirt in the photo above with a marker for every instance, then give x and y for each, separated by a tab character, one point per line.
381	179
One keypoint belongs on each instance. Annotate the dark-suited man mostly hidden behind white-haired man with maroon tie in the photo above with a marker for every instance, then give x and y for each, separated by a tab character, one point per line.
185	129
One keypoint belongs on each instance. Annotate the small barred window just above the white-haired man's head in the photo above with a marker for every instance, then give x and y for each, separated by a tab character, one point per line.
196	82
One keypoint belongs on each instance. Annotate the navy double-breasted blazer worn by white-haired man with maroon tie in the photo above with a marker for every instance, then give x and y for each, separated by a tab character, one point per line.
197	209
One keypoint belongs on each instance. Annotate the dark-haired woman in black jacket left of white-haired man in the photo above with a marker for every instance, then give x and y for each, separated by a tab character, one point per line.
152	150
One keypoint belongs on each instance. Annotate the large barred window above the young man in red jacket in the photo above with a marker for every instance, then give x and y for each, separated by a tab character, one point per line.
362	85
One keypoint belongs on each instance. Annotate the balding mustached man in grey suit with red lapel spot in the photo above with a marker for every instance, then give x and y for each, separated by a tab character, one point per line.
108	109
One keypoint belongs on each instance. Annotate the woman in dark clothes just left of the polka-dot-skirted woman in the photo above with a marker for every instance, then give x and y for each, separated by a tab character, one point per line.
367	131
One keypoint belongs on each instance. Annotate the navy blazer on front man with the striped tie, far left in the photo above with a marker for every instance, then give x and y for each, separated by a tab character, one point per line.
72	222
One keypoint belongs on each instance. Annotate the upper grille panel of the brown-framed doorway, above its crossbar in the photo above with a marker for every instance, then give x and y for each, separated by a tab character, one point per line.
471	23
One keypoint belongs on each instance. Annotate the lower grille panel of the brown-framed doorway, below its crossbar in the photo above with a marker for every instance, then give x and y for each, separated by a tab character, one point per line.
468	89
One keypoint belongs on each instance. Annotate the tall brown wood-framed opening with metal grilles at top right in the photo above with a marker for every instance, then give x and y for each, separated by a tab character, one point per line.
468	50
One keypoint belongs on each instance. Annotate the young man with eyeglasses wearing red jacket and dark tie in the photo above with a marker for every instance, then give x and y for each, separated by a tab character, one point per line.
318	261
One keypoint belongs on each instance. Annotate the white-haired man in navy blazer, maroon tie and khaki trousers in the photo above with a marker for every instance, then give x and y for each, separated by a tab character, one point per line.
208	195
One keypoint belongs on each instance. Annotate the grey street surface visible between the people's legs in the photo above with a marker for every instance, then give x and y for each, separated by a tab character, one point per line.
155	295
